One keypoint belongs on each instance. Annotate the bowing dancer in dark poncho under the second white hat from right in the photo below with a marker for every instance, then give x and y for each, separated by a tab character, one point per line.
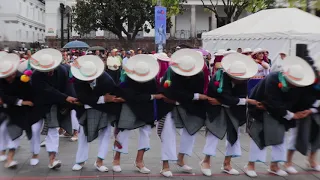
228	87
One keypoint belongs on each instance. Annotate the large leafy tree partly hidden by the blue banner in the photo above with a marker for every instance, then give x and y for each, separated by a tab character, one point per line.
119	16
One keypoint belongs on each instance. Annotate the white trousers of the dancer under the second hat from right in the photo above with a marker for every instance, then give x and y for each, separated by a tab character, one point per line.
212	141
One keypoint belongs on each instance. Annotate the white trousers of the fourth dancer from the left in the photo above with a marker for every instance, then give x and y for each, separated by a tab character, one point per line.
144	139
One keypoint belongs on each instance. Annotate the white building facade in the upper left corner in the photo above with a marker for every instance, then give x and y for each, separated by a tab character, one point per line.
22	22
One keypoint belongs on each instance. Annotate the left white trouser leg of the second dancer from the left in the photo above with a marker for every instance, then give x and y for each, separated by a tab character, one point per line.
35	140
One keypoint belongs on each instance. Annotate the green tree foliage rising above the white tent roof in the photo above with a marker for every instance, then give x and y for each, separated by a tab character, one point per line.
234	8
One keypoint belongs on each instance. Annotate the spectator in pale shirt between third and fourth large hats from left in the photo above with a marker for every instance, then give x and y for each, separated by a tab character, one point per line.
113	65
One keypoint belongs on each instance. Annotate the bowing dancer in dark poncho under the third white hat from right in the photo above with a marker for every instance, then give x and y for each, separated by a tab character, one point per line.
184	85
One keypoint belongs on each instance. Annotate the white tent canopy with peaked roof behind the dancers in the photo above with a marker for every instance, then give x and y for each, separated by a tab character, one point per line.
274	29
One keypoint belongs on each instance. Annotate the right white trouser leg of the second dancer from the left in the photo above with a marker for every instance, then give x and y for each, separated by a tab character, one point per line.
52	140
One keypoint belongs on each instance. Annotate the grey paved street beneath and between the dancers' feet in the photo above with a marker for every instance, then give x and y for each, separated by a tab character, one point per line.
152	160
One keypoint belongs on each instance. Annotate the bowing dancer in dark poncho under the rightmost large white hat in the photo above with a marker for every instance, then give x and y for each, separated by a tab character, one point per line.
278	97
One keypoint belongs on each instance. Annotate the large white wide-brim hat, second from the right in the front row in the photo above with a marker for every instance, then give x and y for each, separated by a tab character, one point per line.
239	66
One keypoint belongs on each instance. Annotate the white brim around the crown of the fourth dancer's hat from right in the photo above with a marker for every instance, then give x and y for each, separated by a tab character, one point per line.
153	67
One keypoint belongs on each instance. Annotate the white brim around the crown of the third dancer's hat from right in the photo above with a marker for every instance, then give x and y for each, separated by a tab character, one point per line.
199	61
